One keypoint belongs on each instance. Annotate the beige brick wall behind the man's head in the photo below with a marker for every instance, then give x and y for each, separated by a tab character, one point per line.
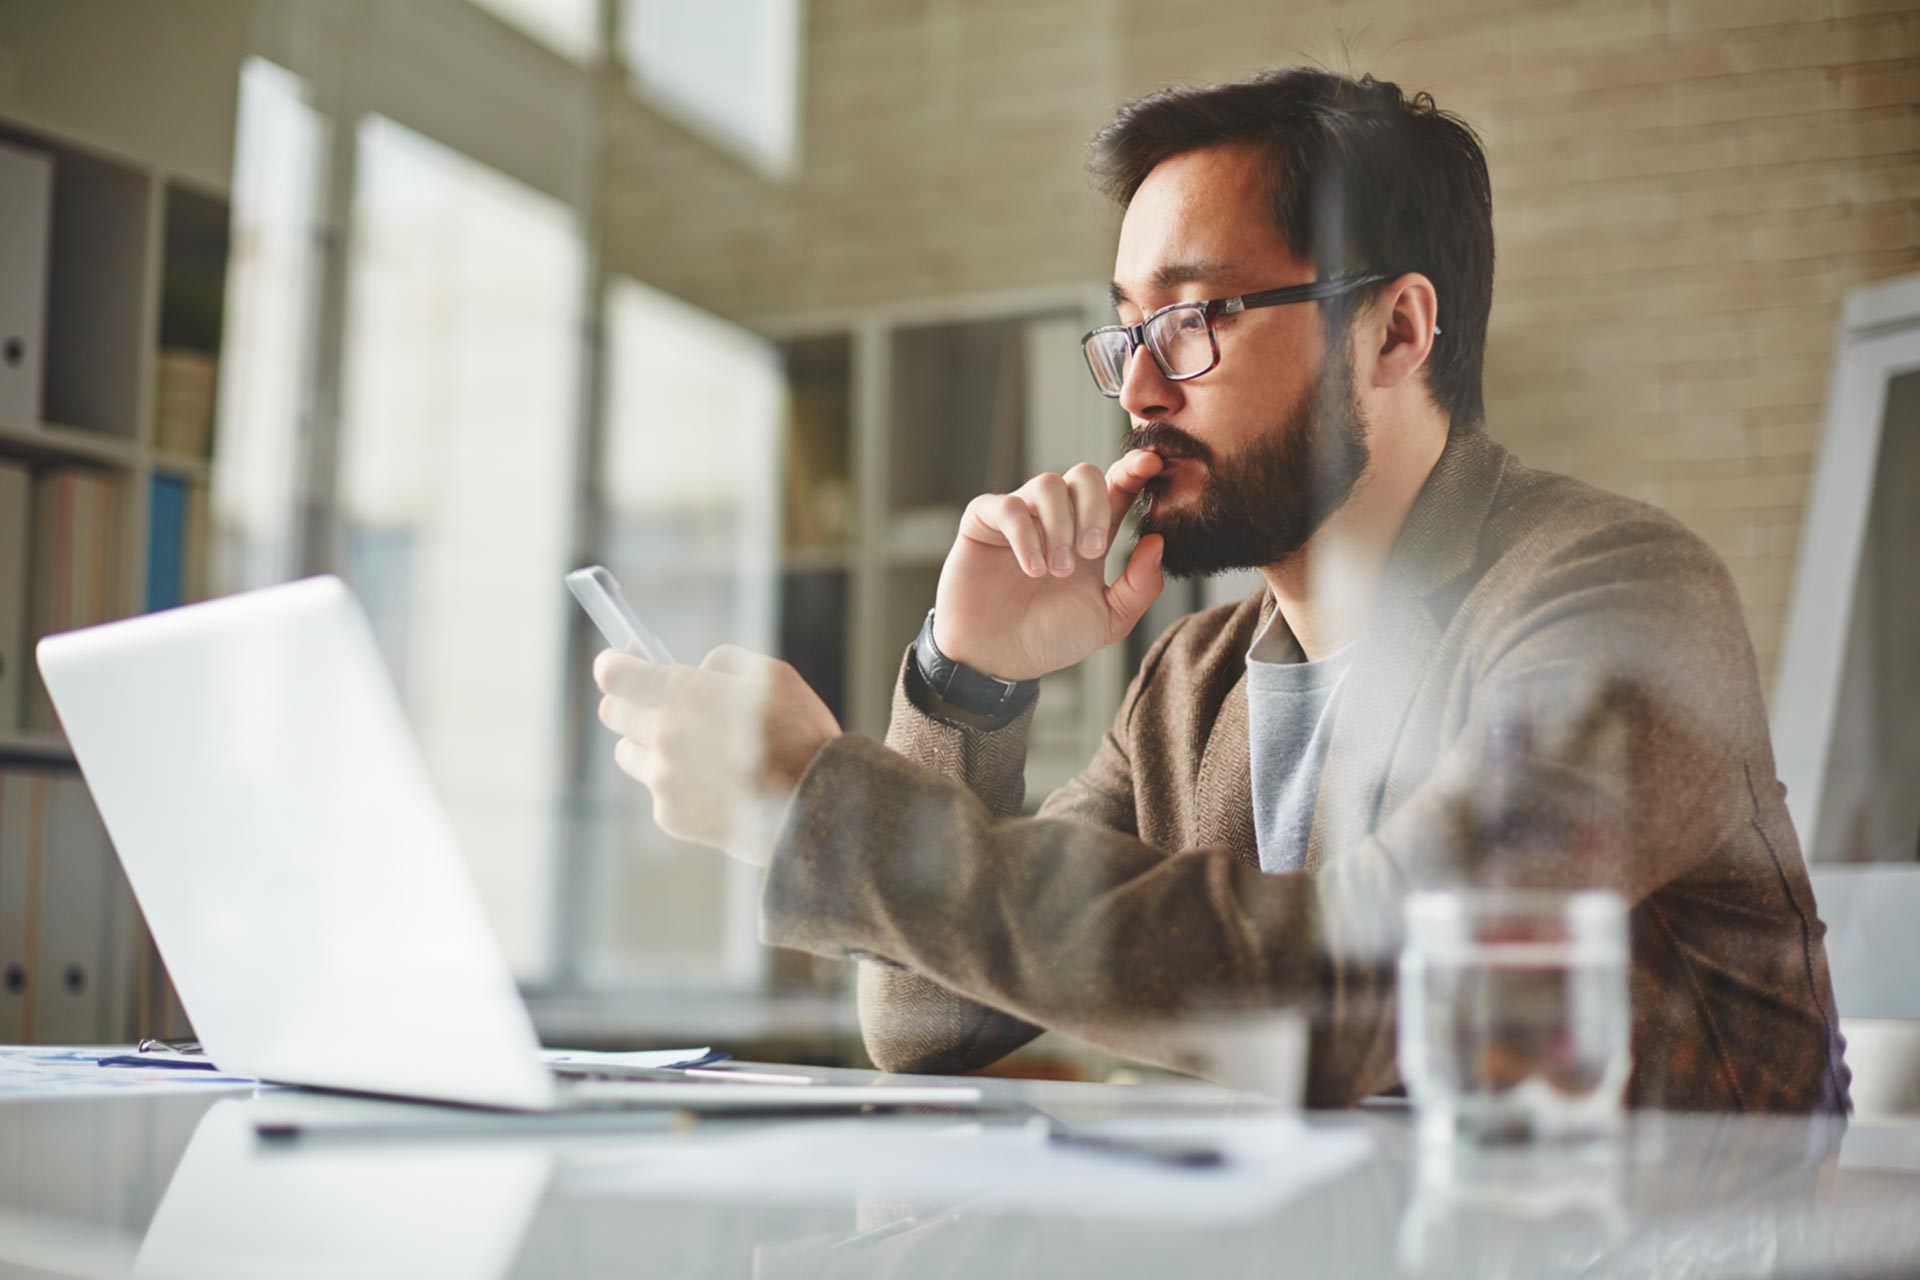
1683	189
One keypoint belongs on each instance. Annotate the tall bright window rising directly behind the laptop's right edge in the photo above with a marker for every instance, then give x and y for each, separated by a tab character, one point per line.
456	486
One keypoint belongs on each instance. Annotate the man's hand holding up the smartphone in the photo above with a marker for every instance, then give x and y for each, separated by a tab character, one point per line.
721	746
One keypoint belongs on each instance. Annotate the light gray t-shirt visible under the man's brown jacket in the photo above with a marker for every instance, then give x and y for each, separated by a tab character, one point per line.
1289	717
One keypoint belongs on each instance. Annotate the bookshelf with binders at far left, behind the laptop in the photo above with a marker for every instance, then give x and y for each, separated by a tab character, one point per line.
135	268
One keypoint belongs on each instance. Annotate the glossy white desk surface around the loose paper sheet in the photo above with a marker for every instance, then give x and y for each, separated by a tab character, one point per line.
176	1183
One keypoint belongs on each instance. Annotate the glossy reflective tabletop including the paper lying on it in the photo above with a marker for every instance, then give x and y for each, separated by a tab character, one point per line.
183	1183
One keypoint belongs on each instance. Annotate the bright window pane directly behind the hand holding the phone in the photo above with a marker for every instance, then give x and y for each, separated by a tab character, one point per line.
688	488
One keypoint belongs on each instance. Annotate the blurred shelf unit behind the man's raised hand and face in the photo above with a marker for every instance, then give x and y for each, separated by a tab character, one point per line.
921	408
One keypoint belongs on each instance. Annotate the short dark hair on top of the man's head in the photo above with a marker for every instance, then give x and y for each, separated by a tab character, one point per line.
1364	179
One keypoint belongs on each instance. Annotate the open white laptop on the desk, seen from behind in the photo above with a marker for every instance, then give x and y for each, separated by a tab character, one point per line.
258	778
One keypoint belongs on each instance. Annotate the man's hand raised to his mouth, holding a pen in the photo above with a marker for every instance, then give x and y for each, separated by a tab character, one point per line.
1024	588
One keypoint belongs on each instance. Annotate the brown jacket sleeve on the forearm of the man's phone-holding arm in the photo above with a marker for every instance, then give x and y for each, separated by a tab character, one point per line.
1065	924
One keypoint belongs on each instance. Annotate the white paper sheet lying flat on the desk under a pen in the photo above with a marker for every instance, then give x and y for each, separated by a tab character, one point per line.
1270	1160
